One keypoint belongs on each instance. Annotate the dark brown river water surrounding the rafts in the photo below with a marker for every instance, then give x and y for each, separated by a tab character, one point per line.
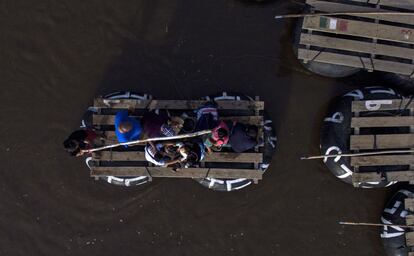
55	56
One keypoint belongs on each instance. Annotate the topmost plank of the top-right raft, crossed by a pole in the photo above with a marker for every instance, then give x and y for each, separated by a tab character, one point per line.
324	6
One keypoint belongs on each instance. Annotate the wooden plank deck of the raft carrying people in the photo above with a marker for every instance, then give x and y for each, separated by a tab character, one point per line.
131	162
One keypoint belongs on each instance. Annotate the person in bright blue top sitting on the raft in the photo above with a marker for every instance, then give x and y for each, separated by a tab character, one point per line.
126	128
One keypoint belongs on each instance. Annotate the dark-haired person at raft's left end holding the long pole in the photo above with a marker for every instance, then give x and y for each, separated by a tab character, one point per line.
80	141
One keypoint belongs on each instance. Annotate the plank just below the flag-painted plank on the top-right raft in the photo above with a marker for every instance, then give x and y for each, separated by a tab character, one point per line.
356	46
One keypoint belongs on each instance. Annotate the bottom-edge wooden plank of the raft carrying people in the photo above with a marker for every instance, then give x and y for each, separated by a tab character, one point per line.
181	173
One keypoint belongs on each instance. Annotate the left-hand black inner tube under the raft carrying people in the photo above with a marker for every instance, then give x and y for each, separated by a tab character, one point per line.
87	122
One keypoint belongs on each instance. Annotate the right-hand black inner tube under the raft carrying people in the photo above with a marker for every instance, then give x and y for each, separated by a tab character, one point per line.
269	148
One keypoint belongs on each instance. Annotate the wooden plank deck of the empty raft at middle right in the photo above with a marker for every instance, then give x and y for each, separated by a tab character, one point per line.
396	132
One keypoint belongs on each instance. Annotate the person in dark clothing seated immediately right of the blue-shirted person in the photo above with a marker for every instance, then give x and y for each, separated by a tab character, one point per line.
159	124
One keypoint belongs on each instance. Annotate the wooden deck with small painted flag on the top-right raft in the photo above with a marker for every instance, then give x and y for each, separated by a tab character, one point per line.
371	42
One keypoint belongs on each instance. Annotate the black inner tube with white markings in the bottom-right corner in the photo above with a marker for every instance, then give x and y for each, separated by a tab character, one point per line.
393	238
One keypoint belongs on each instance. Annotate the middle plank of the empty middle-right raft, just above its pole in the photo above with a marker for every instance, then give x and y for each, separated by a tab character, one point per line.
382	141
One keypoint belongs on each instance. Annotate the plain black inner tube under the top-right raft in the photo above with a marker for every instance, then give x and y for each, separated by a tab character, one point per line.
323	69
